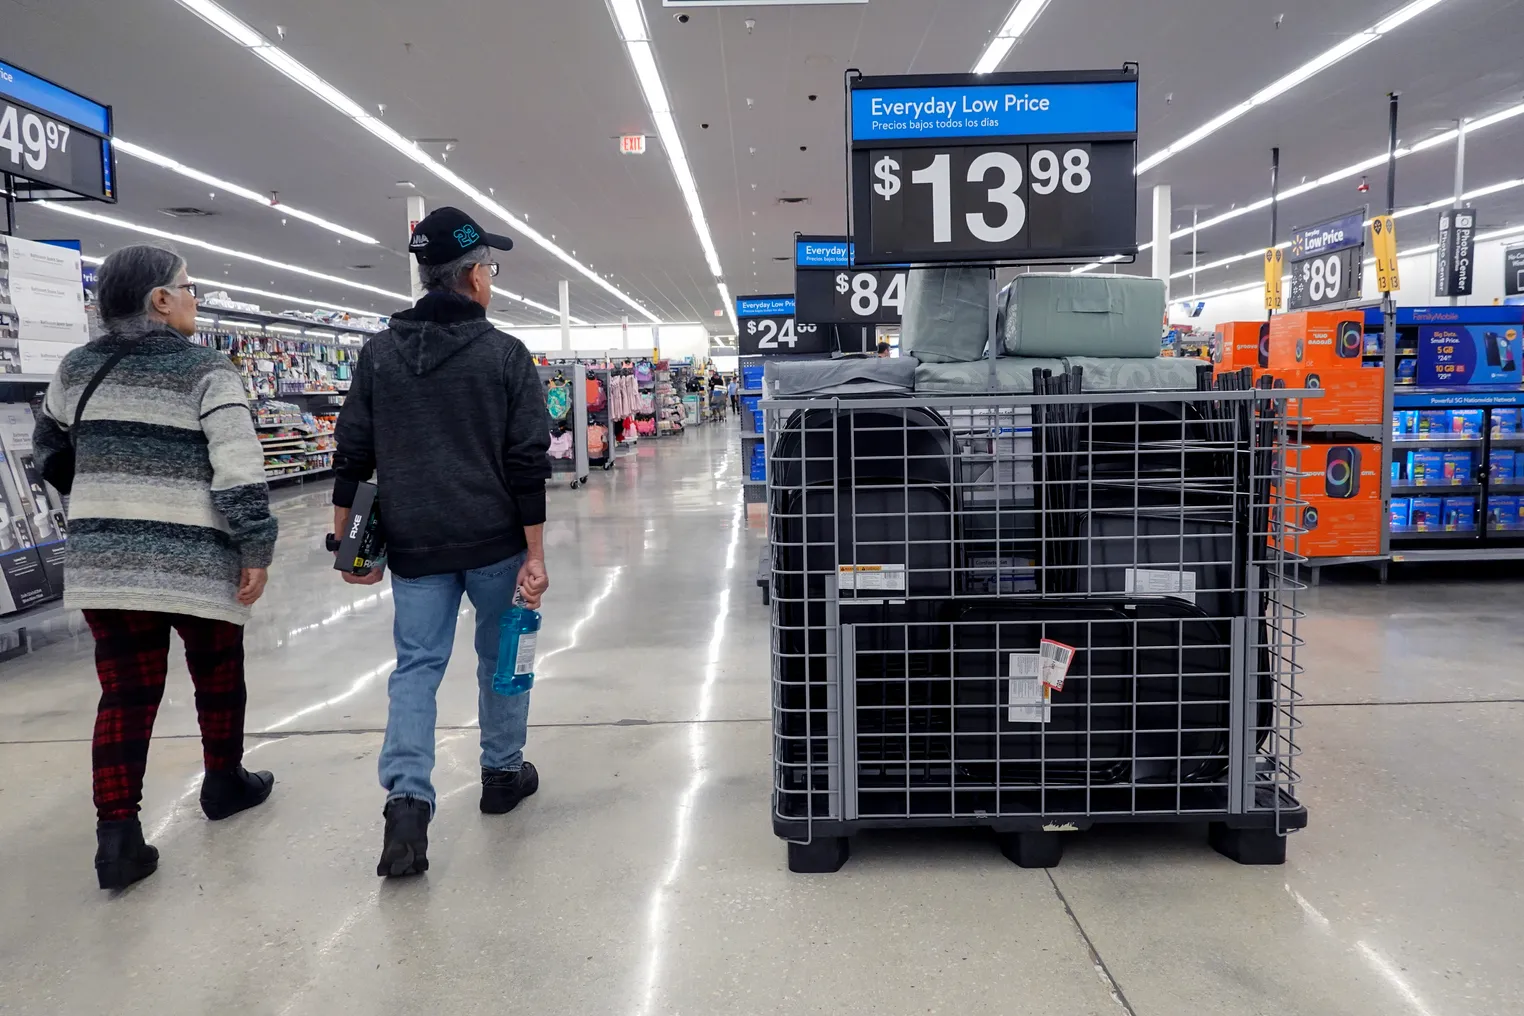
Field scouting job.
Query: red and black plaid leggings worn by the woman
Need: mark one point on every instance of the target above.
(132, 660)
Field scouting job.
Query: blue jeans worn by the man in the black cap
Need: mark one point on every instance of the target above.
(426, 633)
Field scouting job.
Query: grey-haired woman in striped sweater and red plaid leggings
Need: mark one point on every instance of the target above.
(170, 528)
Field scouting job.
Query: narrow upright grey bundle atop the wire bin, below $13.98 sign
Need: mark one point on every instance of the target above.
(947, 315)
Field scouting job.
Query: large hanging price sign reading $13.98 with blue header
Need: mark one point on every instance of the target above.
(994, 168)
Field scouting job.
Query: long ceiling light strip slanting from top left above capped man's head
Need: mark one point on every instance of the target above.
(264, 50)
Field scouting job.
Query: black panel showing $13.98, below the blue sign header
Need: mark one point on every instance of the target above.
(996, 202)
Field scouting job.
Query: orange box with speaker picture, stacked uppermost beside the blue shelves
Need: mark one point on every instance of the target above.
(1325, 350)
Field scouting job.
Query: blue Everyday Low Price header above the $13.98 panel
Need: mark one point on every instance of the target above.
(1014, 110)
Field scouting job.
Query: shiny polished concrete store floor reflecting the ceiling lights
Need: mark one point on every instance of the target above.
(645, 880)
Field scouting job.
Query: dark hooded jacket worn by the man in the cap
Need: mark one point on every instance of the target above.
(450, 418)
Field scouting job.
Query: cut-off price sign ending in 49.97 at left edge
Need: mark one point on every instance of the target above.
(56, 138)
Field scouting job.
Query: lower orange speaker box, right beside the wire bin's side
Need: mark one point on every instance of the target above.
(1342, 488)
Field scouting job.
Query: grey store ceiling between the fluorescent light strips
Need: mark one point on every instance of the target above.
(534, 94)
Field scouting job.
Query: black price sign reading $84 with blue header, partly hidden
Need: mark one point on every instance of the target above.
(830, 290)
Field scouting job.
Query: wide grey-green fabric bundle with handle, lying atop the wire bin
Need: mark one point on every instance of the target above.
(1051, 315)
